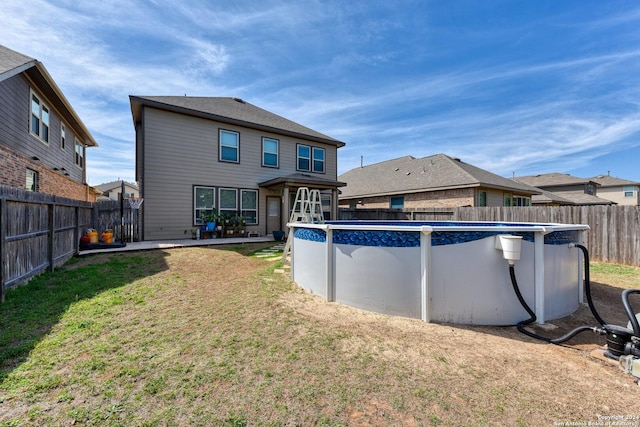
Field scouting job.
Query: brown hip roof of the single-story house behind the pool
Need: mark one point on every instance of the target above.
(433, 173)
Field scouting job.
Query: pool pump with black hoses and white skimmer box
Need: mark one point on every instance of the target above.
(623, 343)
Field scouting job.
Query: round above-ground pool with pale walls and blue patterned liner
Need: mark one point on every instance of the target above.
(440, 271)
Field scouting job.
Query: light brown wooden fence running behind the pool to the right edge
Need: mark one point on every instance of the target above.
(614, 234)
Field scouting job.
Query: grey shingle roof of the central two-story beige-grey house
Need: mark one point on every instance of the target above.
(229, 110)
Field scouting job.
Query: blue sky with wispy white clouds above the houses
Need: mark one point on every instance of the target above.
(514, 87)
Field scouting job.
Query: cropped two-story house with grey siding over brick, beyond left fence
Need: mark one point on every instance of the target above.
(42, 140)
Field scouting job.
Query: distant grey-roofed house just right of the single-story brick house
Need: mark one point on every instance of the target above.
(578, 191)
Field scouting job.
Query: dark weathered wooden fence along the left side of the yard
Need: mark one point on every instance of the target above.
(40, 232)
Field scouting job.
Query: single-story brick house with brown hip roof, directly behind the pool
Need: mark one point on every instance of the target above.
(437, 181)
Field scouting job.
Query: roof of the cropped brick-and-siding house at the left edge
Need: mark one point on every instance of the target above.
(13, 63)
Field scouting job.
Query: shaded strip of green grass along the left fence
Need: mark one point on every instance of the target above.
(32, 310)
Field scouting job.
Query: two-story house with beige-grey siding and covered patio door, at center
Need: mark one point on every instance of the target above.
(194, 154)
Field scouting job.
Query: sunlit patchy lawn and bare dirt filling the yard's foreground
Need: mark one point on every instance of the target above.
(207, 336)
